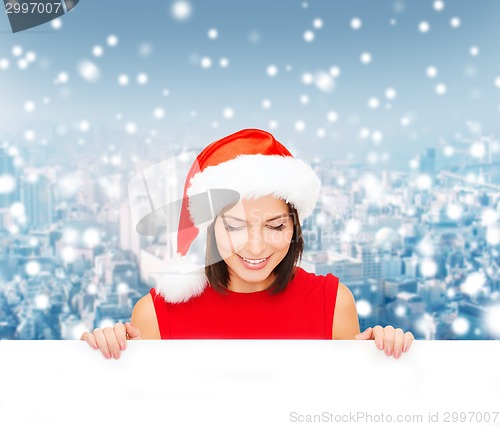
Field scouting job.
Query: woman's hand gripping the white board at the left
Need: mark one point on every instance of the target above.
(112, 340)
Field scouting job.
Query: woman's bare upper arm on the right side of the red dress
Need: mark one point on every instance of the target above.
(345, 317)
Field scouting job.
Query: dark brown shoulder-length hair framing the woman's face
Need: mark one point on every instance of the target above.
(217, 272)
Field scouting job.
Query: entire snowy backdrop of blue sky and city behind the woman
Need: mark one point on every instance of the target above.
(395, 105)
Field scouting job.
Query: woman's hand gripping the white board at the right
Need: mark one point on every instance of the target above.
(394, 341)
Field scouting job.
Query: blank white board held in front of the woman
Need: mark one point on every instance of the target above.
(247, 382)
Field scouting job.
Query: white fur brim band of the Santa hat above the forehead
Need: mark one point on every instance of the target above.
(258, 175)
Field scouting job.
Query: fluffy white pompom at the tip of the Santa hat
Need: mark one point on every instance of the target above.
(180, 280)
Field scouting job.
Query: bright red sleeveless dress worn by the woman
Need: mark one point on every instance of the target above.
(303, 311)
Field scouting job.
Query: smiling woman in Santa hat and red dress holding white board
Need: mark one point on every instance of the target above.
(251, 286)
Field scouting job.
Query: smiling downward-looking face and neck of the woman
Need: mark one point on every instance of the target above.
(252, 238)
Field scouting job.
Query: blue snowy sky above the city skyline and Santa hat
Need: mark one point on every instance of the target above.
(200, 104)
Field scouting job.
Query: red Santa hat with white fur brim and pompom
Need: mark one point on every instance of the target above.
(251, 162)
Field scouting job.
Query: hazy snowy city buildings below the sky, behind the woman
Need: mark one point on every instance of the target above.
(419, 250)
